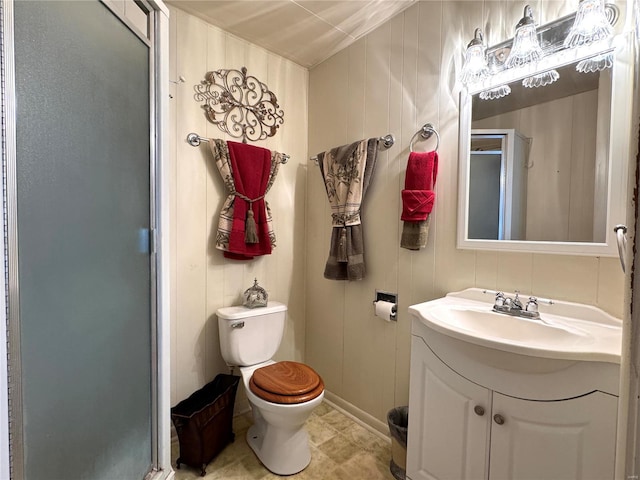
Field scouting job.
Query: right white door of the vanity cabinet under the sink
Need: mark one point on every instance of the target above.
(563, 440)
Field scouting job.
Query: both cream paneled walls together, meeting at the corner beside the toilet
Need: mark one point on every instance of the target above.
(394, 80)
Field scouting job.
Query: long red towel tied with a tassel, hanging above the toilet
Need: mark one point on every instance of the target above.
(250, 167)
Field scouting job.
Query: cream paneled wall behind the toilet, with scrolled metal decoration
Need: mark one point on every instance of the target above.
(202, 280)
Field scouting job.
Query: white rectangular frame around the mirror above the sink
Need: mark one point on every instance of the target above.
(618, 150)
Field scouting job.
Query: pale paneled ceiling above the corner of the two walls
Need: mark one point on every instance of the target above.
(304, 31)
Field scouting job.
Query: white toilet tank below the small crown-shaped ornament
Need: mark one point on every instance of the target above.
(249, 336)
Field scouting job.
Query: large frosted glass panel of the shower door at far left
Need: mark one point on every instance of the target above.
(83, 198)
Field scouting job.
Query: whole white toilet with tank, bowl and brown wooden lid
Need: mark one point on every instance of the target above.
(282, 395)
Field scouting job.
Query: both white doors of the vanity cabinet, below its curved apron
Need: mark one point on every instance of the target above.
(460, 430)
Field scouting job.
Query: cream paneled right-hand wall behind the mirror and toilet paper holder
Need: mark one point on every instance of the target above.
(394, 80)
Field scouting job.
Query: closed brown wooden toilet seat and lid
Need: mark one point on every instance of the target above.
(286, 382)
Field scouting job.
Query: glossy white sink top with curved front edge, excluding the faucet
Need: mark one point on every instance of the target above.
(567, 331)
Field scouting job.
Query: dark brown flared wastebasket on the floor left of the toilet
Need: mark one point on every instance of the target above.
(204, 421)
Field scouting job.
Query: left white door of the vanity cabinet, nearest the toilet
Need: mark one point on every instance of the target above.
(449, 421)
